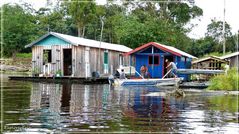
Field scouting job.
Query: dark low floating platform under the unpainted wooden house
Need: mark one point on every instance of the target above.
(63, 79)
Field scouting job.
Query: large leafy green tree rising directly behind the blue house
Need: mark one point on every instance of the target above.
(145, 23)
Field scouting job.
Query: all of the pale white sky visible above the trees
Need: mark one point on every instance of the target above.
(212, 9)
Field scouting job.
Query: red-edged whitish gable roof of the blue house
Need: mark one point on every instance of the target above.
(169, 49)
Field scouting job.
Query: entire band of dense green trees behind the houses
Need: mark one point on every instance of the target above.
(131, 23)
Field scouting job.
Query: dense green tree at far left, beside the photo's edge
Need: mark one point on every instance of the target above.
(19, 29)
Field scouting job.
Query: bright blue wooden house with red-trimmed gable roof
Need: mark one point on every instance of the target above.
(153, 55)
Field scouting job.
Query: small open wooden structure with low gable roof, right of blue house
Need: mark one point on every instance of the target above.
(211, 63)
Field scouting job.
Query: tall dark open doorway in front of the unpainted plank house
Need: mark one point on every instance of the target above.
(67, 62)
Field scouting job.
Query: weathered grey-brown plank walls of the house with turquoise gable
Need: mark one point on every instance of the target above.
(96, 60)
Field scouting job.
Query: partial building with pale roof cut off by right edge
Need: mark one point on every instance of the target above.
(232, 58)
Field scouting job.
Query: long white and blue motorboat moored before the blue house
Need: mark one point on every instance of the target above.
(145, 82)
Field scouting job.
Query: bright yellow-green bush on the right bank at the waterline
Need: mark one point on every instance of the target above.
(225, 82)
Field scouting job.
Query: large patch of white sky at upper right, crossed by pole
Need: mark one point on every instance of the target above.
(214, 9)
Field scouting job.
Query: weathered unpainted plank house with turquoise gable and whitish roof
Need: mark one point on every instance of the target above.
(75, 56)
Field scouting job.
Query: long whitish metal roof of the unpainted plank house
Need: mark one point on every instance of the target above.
(85, 42)
